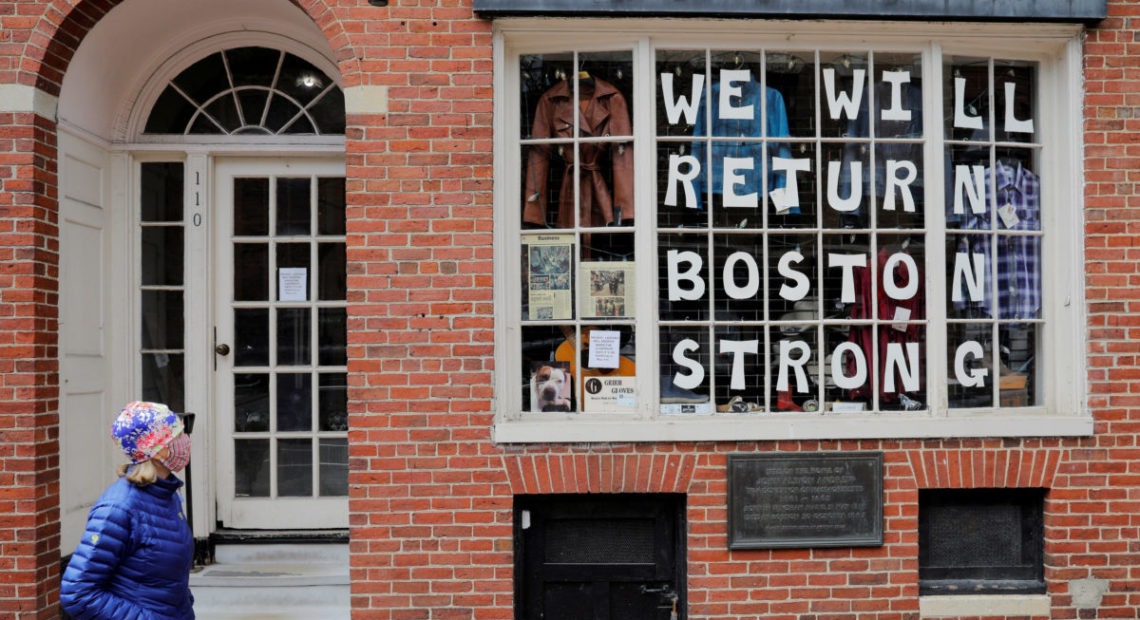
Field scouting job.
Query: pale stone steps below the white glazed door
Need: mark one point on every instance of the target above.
(274, 582)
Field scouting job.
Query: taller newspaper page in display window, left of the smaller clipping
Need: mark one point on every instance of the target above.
(550, 262)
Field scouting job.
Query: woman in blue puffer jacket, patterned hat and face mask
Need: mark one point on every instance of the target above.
(134, 561)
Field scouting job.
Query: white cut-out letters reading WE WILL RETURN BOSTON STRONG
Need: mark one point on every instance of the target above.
(742, 278)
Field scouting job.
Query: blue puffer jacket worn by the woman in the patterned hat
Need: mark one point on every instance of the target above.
(135, 559)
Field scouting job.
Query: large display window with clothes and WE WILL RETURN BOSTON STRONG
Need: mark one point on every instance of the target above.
(785, 233)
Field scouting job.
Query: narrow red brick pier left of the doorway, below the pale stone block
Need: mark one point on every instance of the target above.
(29, 368)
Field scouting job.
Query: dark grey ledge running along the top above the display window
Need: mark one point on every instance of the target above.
(1003, 11)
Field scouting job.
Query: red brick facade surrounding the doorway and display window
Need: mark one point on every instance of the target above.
(431, 494)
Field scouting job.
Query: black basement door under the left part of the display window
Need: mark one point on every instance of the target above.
(600, 558)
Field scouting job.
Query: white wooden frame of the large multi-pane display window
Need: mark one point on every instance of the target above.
(1063, 374)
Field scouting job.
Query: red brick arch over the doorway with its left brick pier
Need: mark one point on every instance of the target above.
(43, 42)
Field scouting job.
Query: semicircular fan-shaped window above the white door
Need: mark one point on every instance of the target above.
(250, 91)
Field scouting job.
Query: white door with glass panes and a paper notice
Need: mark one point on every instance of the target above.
(280, 345)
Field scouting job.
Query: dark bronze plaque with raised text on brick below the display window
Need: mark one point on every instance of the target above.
(816, 500)
